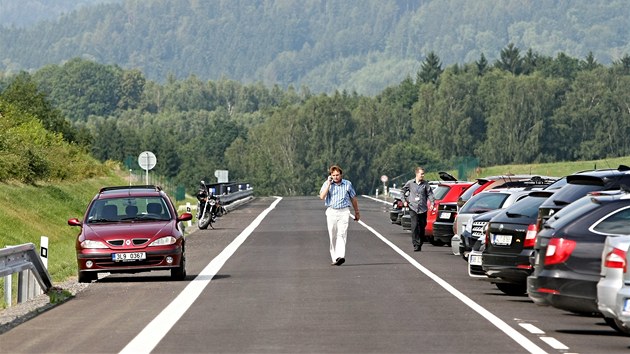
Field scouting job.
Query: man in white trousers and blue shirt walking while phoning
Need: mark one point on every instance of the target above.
(338, 194)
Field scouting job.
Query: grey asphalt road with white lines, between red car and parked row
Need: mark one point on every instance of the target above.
(261, 282)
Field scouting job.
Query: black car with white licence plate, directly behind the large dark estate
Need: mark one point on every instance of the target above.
(510, 243)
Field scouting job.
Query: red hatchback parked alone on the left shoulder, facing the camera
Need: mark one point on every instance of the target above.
(130, 229)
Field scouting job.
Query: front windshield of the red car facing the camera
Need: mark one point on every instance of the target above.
(128, 209)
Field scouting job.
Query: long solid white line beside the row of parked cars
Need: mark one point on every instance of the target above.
(500, 324)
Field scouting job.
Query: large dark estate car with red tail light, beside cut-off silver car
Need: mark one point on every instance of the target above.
(568, 251)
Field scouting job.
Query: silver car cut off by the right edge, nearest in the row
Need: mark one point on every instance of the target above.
(613, 277)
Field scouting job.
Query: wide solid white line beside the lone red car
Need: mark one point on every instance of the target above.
(153, 333)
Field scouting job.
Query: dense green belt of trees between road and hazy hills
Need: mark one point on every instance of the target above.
(522, 108)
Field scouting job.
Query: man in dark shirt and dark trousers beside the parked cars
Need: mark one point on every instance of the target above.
(417, 193)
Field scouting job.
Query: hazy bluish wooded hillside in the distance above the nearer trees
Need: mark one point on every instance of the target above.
(354, 45)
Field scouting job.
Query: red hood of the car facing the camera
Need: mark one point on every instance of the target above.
(148, 229)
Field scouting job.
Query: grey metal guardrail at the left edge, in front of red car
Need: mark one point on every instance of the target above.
(21, 258)
